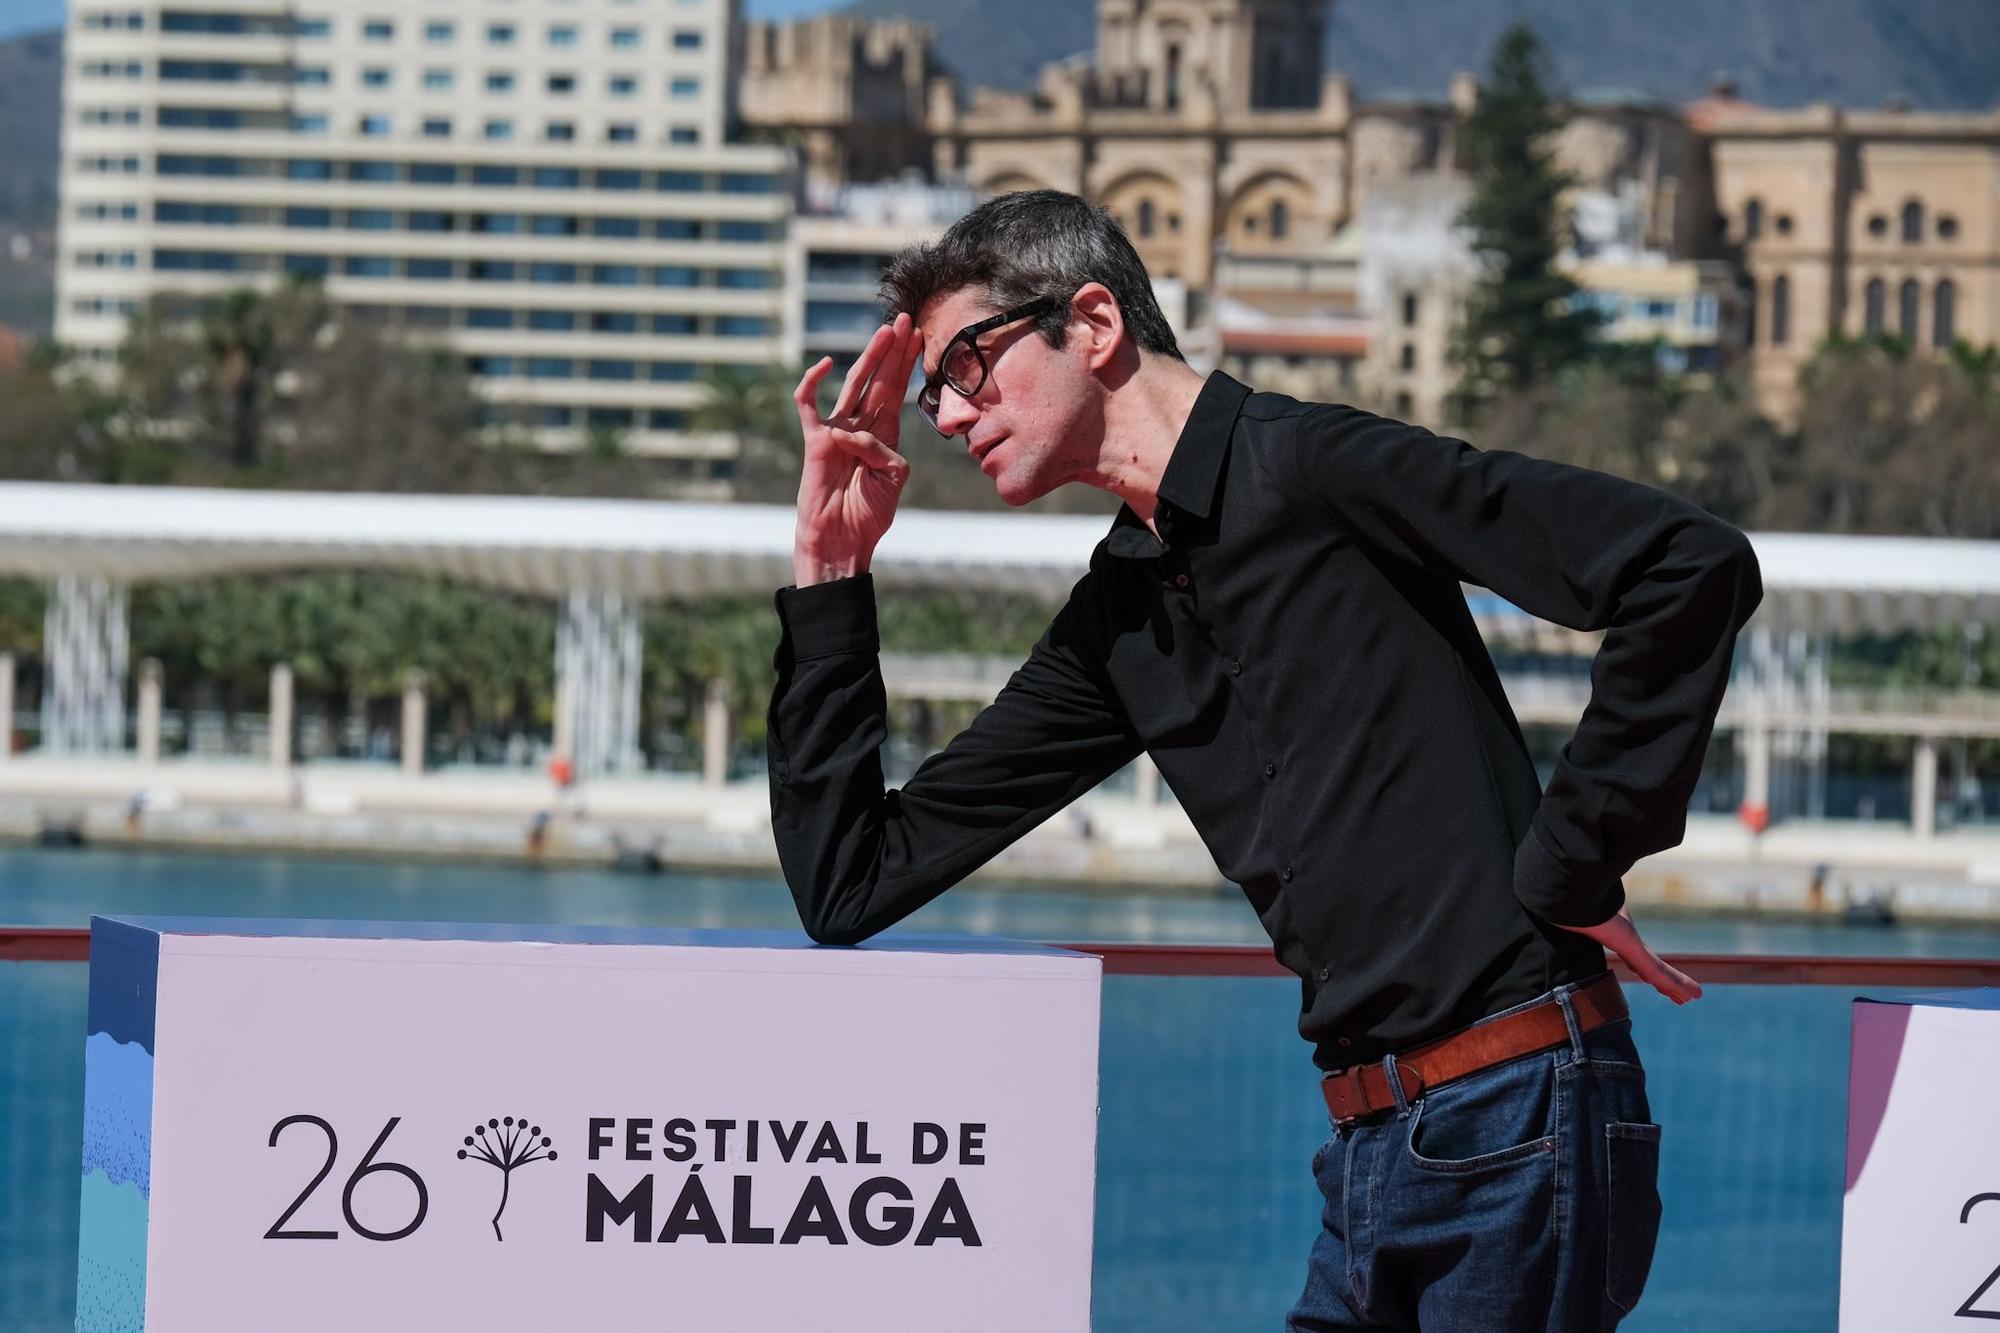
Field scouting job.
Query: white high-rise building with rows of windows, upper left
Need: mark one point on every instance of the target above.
(545, 183)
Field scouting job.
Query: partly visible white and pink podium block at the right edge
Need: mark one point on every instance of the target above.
(1921, 1224)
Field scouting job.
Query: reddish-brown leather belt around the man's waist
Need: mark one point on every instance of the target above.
(1363, 1090)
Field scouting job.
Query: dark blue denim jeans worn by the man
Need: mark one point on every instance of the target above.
(1519, 1198)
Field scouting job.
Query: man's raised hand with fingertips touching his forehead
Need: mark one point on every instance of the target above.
(853, 473)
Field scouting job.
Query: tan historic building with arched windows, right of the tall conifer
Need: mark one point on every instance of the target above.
(1857, 223)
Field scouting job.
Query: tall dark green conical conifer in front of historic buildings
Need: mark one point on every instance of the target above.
(1523, 323)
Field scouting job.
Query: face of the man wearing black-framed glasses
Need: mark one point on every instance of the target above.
(1027, 425)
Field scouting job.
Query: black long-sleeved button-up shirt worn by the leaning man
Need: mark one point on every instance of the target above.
(1297, 655)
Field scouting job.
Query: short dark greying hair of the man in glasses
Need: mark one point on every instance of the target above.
(1023, 247)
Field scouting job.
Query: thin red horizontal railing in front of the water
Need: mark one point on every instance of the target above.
(73, 946)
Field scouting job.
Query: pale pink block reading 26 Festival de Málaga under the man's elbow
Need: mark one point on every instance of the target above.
(403, 1126)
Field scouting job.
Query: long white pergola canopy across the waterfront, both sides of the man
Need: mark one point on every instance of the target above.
(651, 551)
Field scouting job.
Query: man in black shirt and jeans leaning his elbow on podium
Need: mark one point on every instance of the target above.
(1277, 617)
